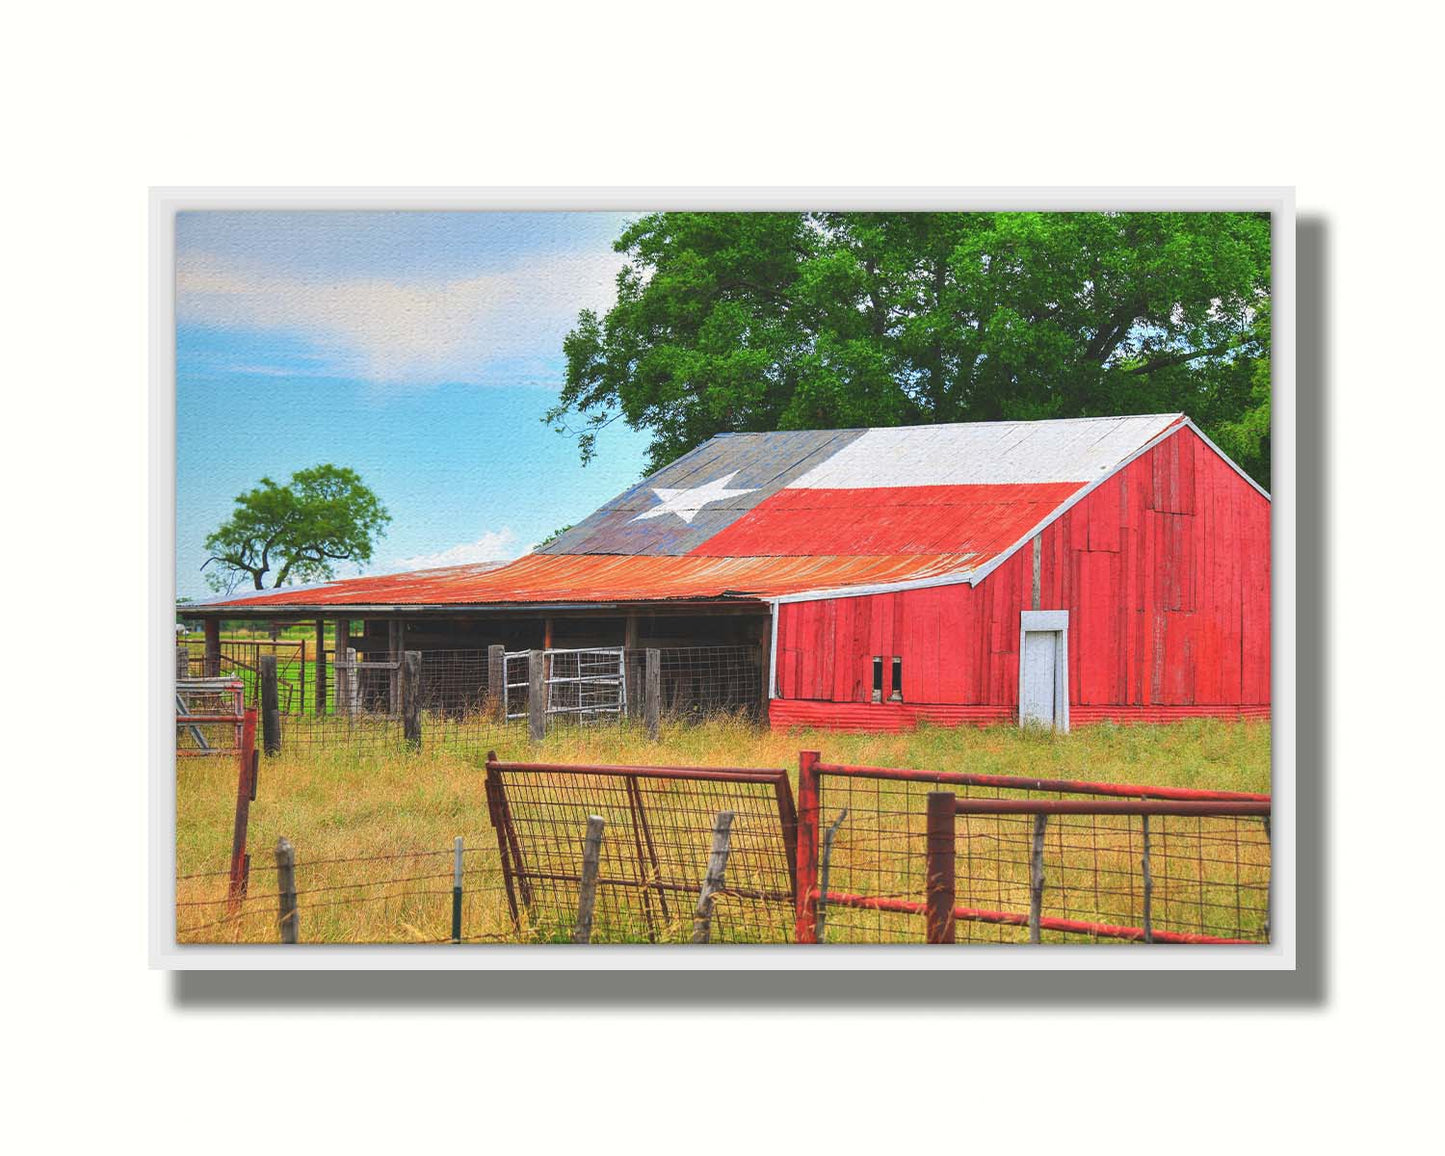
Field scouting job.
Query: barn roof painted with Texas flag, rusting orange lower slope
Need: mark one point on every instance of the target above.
(795, 514)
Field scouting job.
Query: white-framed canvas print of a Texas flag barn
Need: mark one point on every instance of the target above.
(745, 579)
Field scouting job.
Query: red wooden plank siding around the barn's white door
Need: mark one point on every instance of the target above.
(1165, 574)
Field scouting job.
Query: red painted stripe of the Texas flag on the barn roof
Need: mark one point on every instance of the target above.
(978, 521)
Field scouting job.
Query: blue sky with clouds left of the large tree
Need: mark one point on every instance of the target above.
(420, 349)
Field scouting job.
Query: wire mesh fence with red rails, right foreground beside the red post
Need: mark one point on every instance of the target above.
(1210, 875)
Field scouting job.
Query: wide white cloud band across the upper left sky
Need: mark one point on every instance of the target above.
(402, 332)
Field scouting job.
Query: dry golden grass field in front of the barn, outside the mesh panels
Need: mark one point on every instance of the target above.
(374, 826)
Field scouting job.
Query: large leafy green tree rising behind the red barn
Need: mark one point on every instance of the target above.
(746, 322)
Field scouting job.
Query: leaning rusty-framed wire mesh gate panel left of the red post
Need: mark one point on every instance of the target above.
(658, 834)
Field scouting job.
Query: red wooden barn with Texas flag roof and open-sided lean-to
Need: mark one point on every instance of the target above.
(1053, 573)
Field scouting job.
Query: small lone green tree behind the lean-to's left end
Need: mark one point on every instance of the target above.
(297, 532)
